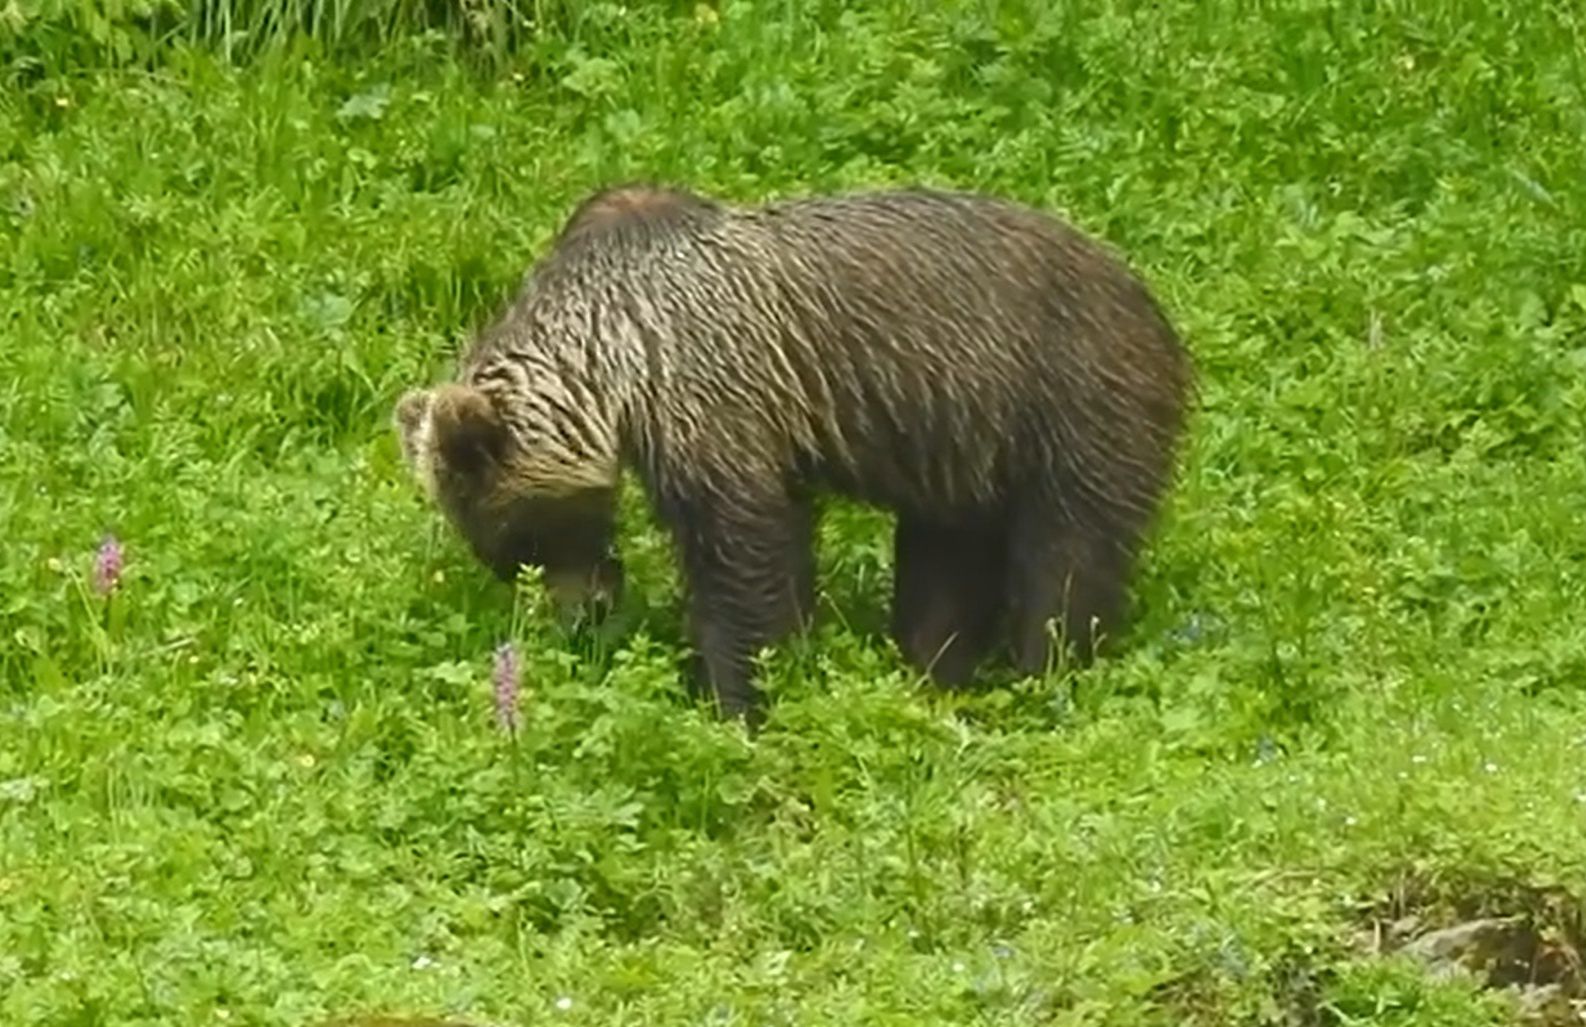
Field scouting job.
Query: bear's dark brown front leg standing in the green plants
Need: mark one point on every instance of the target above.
(749, 575)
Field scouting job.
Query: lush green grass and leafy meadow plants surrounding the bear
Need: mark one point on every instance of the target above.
(262, 785)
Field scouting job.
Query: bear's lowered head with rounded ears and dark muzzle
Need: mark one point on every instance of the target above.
(515, 506)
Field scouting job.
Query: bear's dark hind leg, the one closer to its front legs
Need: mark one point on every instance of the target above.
(949, 587)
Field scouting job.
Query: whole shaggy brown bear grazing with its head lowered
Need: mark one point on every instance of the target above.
(997, 380)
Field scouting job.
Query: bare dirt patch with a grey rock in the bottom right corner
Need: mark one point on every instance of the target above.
(1511, 936)
